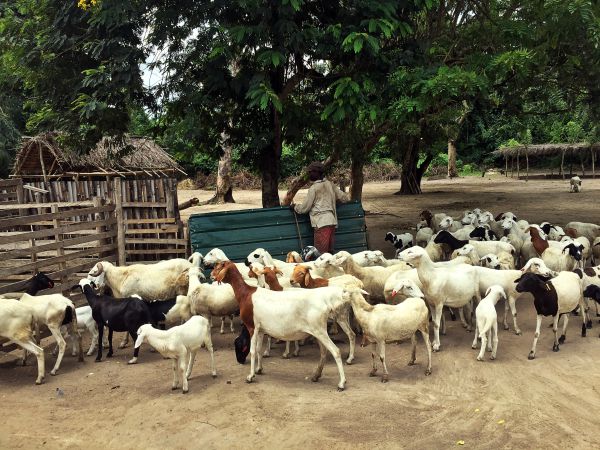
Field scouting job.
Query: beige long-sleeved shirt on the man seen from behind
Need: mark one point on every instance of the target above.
(320, 203)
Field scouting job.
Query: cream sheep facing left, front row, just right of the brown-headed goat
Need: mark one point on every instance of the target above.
(388, 323)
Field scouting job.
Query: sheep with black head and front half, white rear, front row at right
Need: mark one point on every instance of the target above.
(553, 297)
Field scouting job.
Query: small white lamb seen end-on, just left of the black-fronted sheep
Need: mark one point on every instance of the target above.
(487, 321)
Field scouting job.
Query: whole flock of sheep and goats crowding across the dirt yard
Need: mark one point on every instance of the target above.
(466, 264)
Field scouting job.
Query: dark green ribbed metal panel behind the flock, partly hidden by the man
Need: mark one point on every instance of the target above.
(278, 230)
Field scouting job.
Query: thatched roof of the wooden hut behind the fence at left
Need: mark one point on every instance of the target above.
(42, 155)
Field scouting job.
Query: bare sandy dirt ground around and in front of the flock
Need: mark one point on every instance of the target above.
(552, 401)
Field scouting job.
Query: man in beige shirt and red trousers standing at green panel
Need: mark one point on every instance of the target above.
(320, 204)
